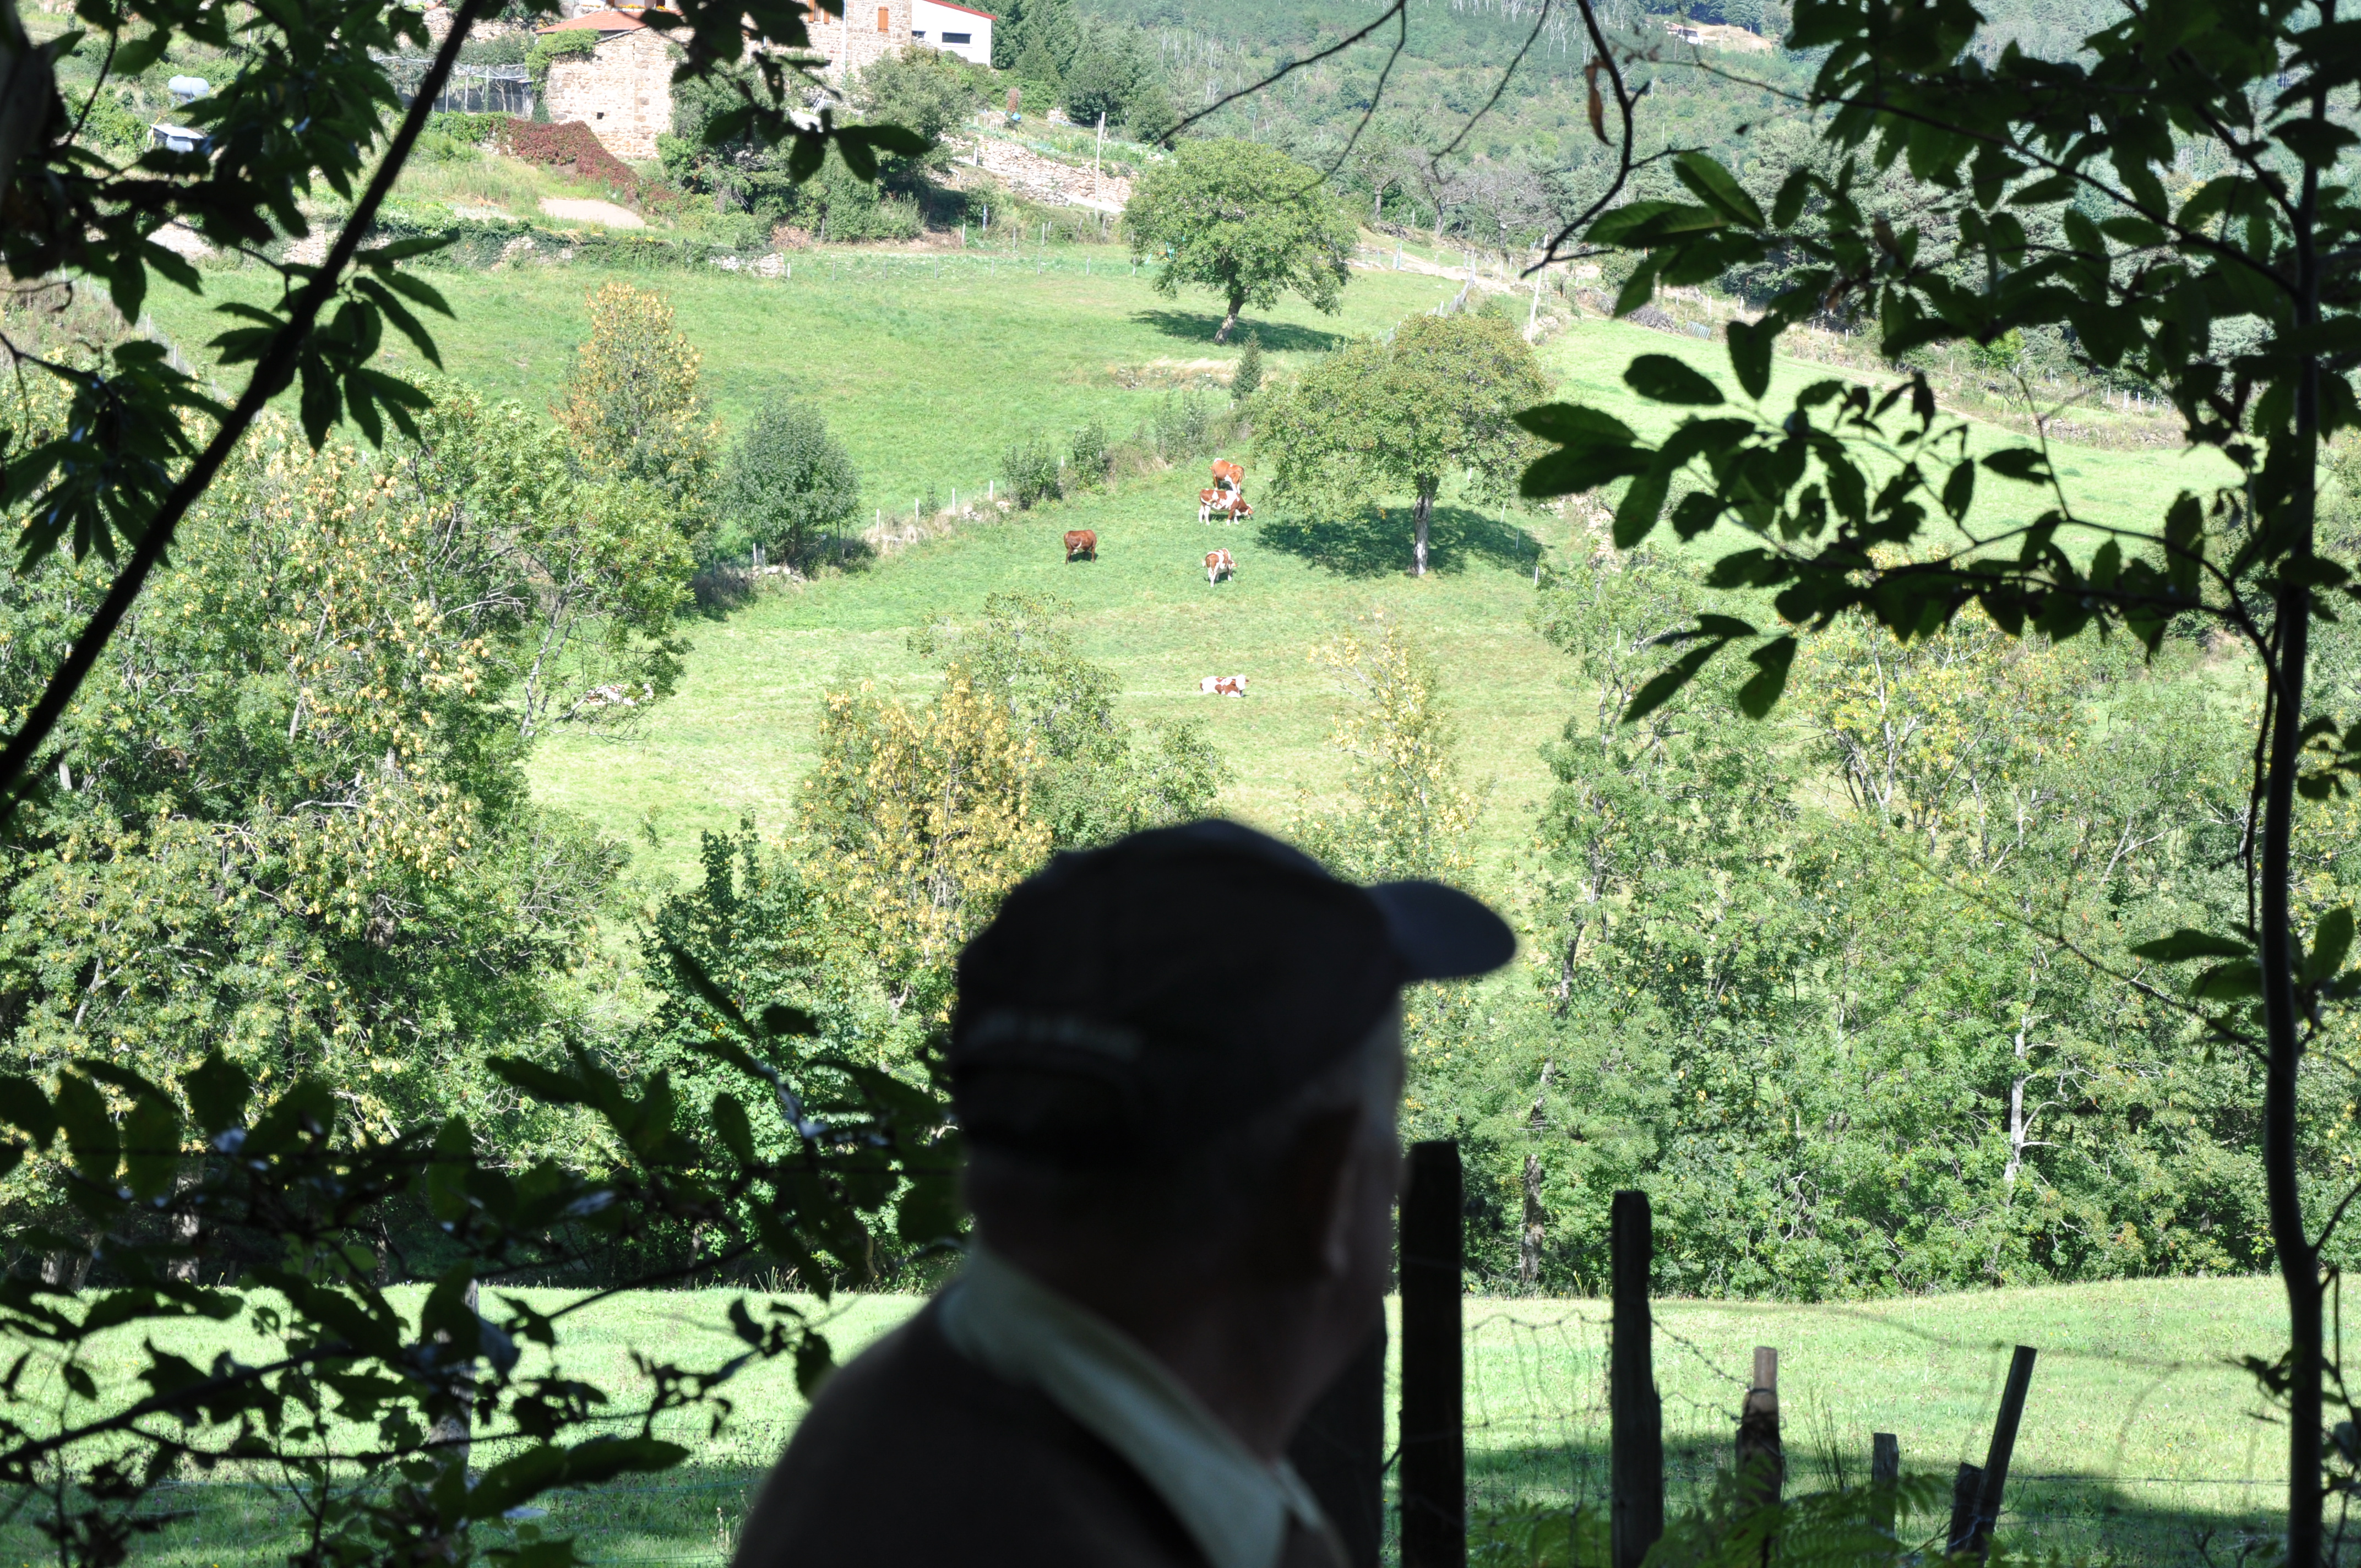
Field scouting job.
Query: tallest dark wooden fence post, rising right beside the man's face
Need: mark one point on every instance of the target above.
(1432, 1439)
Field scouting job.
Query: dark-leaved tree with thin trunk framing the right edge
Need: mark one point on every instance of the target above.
(2173, 178)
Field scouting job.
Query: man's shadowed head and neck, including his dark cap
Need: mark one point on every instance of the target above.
(1179, 1059)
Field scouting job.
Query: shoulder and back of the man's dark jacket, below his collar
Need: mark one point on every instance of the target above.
(917, 1456)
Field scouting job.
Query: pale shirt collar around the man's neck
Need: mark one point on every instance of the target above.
(1236, 1508)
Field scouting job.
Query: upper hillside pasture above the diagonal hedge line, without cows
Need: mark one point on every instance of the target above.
(929, 367)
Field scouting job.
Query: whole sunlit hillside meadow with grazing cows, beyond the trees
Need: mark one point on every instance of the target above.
(929, 367)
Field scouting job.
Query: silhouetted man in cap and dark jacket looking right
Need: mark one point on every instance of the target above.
(1177, 1064)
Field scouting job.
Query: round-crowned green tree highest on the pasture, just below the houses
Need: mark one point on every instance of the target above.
(1245, 221)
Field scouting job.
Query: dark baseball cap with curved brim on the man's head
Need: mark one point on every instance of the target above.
(1137, 1000)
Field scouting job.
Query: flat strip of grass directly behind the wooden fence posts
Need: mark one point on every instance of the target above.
(2140, 1439)
